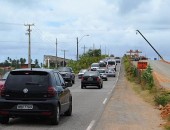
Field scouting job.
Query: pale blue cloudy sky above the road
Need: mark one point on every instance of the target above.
(110, 24)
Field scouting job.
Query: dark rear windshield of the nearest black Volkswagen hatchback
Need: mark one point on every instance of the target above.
(24, 79)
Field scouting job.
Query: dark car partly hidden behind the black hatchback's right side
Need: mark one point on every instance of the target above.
(68, 74)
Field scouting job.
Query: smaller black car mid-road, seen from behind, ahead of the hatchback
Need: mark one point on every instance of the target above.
(91, 78)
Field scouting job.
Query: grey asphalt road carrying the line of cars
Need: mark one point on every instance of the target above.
(88, 105)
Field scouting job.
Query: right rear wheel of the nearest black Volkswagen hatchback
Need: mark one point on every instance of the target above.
(56, 117)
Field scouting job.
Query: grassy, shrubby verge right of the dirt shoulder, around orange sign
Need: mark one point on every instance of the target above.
(148, 88)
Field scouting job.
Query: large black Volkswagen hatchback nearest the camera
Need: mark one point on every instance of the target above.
(35, 93)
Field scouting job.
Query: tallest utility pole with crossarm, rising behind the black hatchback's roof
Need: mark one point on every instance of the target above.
(29, 43)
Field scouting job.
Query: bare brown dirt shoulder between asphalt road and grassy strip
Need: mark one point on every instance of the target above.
(127, 111)
